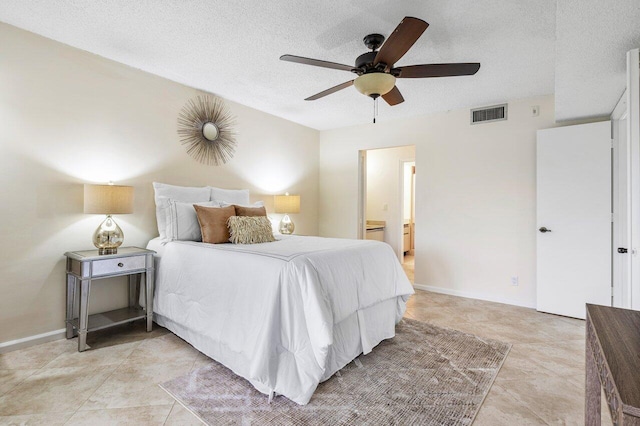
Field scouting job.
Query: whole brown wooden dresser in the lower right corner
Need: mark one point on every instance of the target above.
(613, 363)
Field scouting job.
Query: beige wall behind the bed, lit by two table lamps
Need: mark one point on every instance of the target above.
(68, 117)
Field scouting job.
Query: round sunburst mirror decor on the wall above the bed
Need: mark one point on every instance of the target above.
(205, 126)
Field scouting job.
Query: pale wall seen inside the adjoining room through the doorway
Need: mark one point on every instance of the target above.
(384, 173)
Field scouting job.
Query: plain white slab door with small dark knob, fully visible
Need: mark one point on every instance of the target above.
(574, 218)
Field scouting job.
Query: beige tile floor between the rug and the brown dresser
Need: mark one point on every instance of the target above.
(542, 380)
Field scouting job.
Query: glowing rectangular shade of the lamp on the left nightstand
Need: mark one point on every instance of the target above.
(108, 199)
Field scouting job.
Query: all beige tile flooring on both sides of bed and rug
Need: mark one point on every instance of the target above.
(541, 382)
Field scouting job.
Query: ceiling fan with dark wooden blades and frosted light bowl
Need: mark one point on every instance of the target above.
(375, 69)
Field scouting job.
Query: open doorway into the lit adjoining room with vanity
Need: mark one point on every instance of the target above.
(386, 200)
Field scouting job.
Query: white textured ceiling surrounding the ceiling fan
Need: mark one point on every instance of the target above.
(231, 48)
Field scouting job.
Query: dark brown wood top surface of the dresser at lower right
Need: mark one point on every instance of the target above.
(618, 331)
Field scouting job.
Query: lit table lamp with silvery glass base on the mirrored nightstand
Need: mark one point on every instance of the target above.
(108, 199)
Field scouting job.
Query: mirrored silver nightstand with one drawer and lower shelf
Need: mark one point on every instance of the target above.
(85, 267)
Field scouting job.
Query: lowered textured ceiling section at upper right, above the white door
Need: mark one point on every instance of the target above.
(592, 40)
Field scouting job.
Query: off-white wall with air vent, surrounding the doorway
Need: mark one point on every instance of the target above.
(475, 195)
